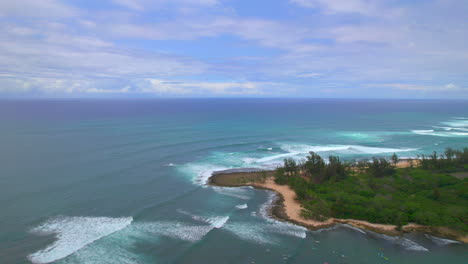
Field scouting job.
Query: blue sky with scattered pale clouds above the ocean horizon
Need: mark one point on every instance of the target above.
(234, 48)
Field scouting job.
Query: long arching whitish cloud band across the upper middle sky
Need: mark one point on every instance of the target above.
(264, 32)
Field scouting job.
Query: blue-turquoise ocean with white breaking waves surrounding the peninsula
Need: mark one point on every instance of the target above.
(124, 181)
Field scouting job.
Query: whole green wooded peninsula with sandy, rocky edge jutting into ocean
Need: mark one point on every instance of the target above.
(428, 194)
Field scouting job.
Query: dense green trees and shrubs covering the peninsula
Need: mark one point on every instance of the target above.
(378, 192)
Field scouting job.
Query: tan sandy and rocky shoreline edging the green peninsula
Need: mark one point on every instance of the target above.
(286, 208)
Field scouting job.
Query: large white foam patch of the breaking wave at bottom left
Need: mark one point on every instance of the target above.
(74, 233)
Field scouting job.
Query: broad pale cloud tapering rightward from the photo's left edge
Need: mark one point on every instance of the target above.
(57, 53)
